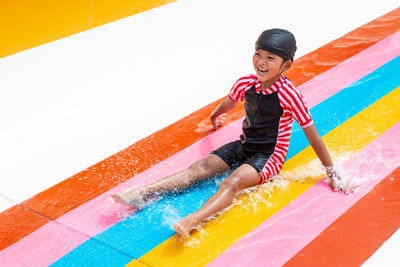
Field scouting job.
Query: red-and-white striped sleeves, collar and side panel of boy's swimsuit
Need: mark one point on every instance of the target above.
(293, 106)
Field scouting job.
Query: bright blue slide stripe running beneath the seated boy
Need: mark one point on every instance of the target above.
(143, 231)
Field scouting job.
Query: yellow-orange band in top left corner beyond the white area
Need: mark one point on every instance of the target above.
(28, 23)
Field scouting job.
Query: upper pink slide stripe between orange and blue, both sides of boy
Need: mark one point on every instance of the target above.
(100, 213)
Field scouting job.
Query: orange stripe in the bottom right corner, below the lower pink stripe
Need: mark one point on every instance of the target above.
(359, 232)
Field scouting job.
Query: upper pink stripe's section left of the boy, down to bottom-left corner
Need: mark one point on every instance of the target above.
(100, 213)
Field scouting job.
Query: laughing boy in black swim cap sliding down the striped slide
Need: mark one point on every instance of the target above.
(271, 104)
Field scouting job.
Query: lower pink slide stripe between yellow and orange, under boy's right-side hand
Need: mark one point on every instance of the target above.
(279, 238)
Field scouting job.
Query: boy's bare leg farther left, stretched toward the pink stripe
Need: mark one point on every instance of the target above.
(200, 170)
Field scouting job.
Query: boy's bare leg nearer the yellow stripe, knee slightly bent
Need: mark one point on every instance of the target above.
(244, 177)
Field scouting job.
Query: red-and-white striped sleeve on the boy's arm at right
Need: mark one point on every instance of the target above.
(297, 105)
